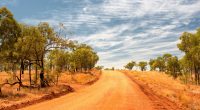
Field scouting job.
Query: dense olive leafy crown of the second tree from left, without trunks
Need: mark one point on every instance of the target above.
(28, 43)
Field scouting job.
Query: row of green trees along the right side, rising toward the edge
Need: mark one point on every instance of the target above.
(186, 68)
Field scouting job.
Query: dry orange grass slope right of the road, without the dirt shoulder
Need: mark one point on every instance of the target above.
(162, 84)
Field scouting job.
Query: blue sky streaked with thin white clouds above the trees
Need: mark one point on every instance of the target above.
(119, 30)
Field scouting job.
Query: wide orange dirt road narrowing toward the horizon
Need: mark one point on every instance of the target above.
(113, 91)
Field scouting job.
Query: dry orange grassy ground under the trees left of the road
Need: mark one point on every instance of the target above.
(11, 95)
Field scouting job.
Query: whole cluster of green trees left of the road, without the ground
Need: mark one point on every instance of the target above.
(23, 45)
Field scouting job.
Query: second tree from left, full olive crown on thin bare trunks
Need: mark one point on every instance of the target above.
(24, 47)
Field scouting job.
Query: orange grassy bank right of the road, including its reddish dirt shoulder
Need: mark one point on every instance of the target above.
(163, 90)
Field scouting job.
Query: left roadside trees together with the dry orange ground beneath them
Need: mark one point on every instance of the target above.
(36, 58)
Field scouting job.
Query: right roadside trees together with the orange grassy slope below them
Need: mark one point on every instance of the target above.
(176, 79)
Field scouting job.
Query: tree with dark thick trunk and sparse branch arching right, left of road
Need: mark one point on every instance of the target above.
(49, 40)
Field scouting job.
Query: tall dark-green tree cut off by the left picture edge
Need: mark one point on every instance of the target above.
(9, 33)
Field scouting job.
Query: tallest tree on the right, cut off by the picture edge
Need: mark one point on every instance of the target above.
(190, 44)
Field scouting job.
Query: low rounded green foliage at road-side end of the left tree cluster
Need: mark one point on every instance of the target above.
(82, 58)
